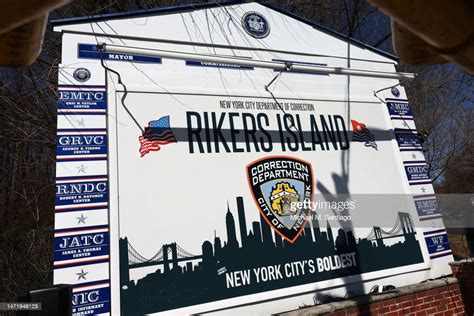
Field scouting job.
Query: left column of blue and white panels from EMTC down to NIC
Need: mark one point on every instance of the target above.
(81, 238)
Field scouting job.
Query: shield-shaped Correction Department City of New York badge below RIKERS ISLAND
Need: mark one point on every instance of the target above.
(279, 184)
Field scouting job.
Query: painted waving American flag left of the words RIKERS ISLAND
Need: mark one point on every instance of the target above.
(157, 133)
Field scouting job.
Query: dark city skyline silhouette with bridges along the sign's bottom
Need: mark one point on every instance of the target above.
(184, 279)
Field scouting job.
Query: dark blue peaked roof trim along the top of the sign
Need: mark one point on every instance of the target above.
(200, 6)
